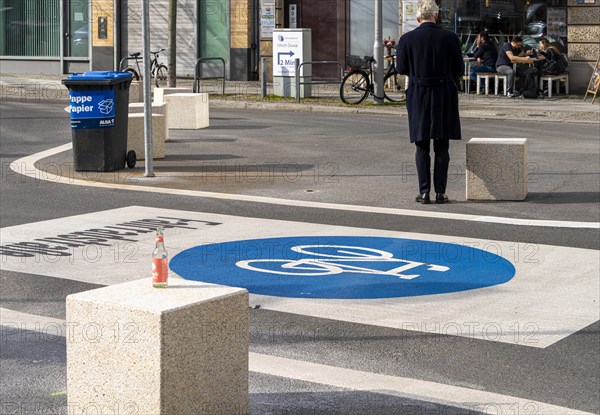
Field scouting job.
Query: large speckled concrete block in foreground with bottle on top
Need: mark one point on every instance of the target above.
(145, 350)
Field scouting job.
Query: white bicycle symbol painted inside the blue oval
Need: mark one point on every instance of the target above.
(338, 260)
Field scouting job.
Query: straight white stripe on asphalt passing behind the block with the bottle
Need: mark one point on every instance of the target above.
(439, 393)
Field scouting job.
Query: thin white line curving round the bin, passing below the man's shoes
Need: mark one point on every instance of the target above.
(26, 166)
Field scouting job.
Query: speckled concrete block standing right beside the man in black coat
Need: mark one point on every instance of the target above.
(497, 169)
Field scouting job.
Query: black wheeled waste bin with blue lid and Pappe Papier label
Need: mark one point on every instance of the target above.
(99, 116)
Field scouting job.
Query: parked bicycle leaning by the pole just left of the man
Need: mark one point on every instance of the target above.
(359, 81)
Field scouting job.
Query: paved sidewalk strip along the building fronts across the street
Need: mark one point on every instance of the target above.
(247, 95)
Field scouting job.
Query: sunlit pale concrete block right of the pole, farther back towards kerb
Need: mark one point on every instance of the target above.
(188, 111)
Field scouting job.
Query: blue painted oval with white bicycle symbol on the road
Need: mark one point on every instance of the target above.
(343, 267)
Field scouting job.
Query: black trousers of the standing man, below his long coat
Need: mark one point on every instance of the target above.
(440, 168)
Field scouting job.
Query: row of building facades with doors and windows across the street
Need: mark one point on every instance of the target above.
(63, 36)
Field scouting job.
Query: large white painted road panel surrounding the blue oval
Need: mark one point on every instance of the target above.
(554, 292)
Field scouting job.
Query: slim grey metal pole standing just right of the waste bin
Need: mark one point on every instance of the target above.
(147, 88)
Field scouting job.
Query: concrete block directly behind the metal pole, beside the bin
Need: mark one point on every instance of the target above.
(135, 136)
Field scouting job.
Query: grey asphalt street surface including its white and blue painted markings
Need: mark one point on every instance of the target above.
(524, 343)
